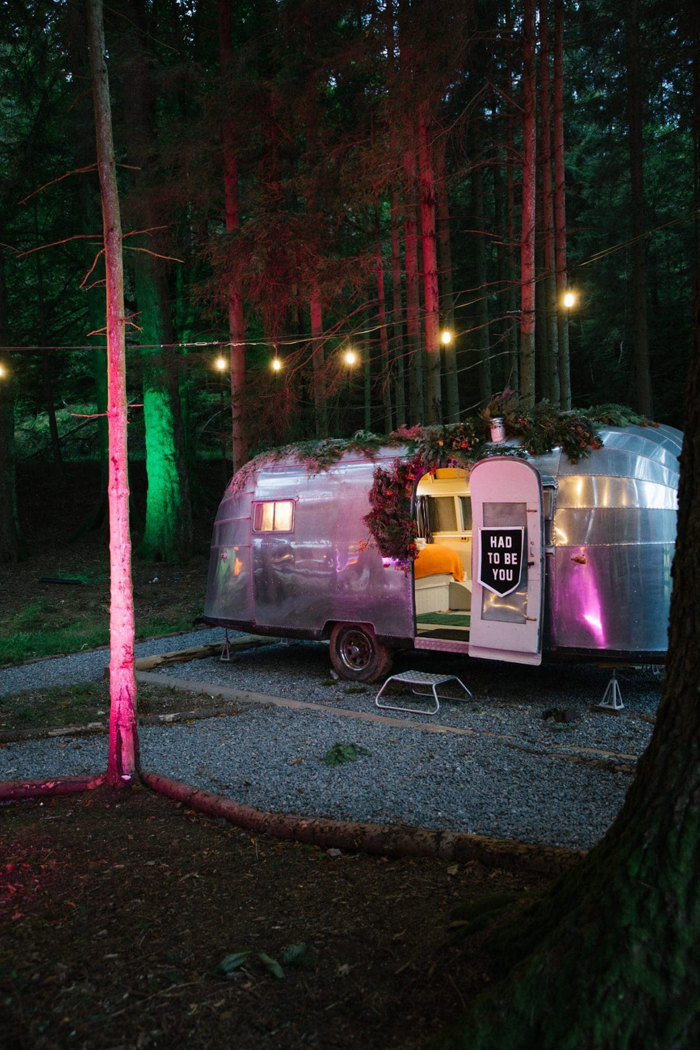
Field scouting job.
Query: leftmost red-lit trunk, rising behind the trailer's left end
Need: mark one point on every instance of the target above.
(232, 218)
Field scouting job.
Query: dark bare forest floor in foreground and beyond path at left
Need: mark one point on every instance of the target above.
(131, 921)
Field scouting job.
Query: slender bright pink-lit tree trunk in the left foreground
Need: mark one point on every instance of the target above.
(123, 759)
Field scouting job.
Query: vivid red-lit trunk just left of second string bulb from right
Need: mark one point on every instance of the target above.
(431, 292)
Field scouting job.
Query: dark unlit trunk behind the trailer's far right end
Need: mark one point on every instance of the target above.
(635, 119)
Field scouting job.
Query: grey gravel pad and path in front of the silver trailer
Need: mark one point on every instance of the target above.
(531, 758)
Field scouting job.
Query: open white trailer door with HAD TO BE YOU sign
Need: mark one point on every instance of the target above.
(507, 561)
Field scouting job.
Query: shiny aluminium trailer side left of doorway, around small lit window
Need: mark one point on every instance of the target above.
(324, 571)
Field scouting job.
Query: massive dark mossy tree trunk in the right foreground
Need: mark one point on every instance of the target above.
(617, 939)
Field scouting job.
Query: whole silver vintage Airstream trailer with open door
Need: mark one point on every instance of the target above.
(520, 558)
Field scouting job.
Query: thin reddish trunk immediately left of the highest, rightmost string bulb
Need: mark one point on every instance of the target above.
(561, 211)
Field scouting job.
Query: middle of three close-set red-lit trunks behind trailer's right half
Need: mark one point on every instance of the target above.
(549, 297)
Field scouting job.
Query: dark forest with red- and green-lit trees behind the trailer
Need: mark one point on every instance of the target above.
(301, 180)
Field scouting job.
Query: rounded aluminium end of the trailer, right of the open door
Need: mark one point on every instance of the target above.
(613, 540)
